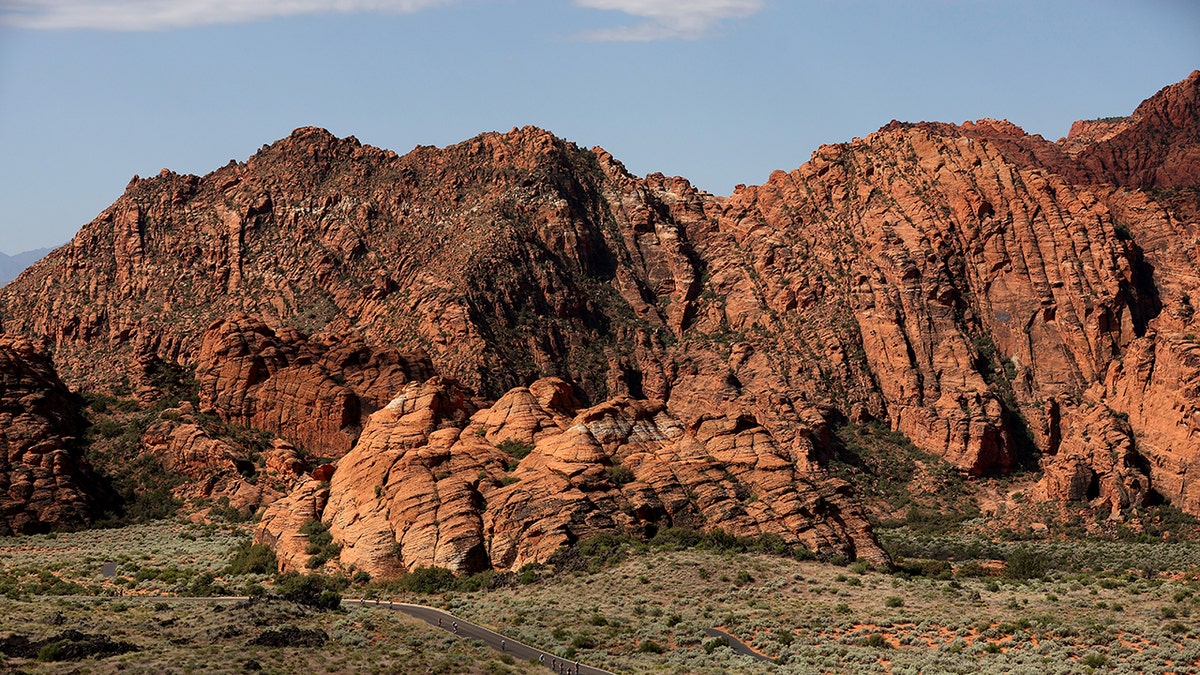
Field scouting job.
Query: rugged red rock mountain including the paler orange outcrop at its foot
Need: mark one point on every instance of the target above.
(1001, 300)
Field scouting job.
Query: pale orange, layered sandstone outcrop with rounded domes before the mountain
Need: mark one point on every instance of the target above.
(429, 483)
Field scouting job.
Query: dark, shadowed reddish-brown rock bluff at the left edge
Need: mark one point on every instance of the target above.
(44, 481)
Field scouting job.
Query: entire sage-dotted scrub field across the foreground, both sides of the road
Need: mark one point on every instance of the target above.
(1079, 607)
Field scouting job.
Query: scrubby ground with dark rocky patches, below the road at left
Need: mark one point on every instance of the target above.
(176, 636)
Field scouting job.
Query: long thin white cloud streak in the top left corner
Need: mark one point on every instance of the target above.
(164, 15)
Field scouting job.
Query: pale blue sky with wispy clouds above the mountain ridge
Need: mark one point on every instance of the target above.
(721, 92)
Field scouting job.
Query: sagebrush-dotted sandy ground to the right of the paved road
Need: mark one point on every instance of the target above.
(817, 618)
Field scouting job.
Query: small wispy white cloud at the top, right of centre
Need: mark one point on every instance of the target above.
(669, 20)
